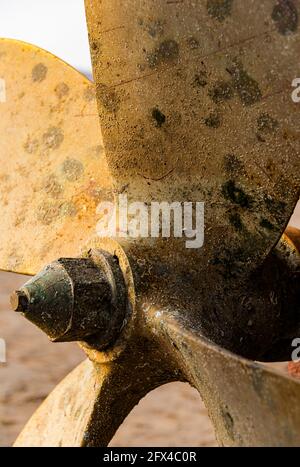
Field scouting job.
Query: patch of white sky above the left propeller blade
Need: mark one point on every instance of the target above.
(55, 25)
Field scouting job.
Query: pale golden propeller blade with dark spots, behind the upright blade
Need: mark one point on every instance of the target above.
(53, 172)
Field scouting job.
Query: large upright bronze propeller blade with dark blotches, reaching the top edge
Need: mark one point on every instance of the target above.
(195, 105)
